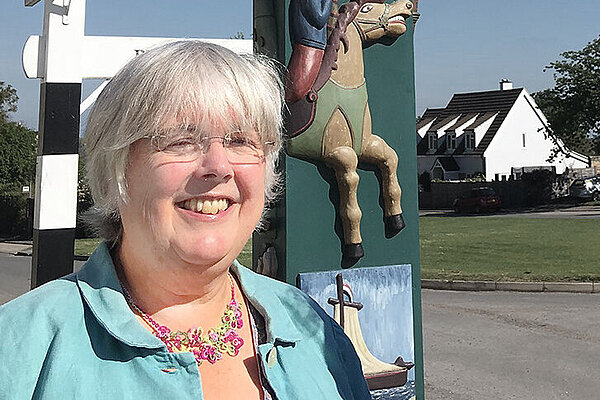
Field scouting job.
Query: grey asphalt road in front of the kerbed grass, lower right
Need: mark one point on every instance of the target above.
(506, 345)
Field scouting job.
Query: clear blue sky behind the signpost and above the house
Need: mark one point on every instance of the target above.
(460, 46)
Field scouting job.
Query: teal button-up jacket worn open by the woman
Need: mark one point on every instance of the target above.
(76, 338)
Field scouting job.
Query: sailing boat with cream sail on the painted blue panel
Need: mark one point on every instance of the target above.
(379, 374)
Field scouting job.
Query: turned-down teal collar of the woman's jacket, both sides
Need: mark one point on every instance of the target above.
(102, 292)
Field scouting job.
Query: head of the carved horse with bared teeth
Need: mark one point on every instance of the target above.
(381, 22)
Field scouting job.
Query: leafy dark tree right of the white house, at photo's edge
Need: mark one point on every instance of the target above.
(573, 105)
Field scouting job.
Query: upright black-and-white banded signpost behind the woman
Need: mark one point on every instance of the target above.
(59, 67)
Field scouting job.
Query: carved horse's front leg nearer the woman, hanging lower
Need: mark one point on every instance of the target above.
(343, 160)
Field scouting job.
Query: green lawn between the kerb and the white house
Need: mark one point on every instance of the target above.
(510, 249)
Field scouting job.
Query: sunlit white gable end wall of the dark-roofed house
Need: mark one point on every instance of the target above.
(506, 149)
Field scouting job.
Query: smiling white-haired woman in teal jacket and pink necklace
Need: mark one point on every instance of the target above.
(181, 148)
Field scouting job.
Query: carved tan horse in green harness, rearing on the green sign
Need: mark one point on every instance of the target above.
(331, 123)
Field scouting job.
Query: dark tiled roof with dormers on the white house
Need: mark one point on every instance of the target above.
(485, 105)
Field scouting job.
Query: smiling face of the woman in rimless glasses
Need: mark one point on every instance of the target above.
(200, 212)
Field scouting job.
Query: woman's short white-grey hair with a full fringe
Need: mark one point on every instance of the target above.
(189, 83)
